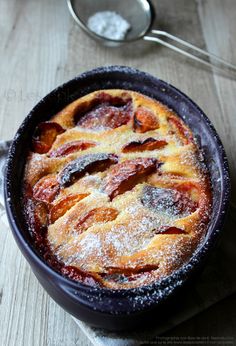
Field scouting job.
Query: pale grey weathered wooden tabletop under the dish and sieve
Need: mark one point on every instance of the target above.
(41, 47)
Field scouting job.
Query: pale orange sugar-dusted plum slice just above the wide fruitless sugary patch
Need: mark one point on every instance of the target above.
(101, 214)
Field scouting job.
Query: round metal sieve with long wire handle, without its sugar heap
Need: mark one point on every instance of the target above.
(140, 15)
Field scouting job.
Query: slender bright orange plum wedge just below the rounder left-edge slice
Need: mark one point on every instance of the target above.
(63, 205)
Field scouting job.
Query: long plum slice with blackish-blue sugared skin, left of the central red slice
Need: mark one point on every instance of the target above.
(85, 164)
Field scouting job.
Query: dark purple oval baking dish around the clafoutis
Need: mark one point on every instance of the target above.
(116, 309)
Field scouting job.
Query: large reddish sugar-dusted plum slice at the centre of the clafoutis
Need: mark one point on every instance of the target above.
(125, 175)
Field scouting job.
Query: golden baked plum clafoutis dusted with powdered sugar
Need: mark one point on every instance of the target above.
(116, 193)
